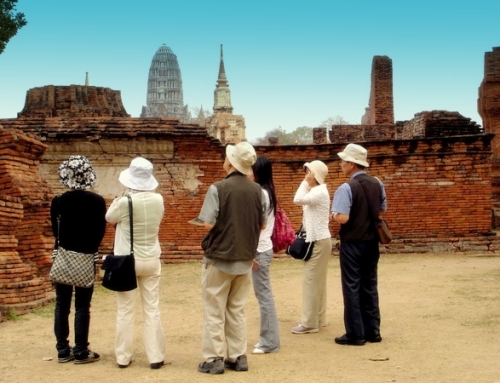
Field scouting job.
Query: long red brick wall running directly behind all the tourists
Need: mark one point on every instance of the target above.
(425, 172)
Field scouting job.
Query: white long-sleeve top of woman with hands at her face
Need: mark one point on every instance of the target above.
(315, 203)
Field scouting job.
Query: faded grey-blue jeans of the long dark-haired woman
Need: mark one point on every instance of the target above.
(269, 331)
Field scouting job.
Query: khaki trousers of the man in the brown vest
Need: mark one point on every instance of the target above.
(224, 324)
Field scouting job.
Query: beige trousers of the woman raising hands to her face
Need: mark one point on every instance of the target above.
(314, 285)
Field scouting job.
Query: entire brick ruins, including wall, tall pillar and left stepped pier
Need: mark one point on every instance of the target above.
(440, 170)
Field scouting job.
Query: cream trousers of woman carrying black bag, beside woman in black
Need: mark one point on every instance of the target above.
(148, 280)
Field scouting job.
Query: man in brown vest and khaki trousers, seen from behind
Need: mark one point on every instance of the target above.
(234, 213)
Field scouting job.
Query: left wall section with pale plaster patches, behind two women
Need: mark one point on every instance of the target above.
(186, 162)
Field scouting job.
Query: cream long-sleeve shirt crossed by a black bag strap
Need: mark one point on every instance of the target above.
(148, 213)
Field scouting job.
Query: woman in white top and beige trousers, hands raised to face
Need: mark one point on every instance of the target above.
(313, 196)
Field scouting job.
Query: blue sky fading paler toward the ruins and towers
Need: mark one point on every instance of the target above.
(288, 64)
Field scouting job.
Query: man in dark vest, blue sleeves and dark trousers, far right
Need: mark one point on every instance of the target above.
(356, 205)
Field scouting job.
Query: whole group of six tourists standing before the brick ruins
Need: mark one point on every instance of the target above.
(238, 214)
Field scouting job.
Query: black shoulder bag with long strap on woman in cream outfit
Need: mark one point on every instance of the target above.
(119, 272)
